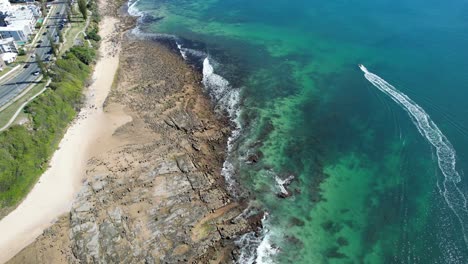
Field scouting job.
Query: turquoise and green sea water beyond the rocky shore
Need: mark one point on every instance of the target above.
(369, 185)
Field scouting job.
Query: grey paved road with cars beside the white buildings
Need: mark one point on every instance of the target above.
(12, 87)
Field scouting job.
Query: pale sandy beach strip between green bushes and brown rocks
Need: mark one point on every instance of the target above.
(90, 134)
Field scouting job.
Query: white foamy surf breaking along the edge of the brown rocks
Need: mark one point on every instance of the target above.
(255, 247)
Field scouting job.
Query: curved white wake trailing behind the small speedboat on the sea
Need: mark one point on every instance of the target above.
(446, 157)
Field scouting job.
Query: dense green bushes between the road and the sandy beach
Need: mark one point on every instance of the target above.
(25, 151)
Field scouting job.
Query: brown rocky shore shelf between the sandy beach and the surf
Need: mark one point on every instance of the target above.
(157, 196)
